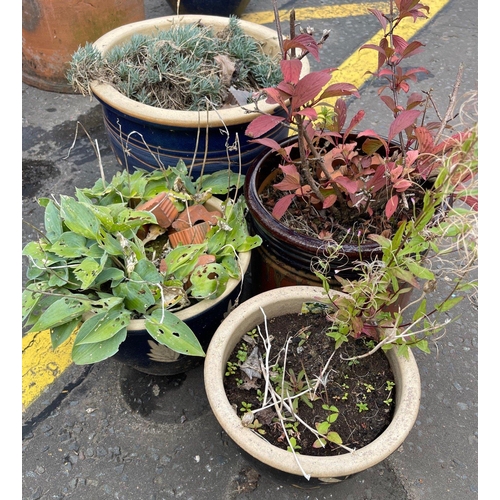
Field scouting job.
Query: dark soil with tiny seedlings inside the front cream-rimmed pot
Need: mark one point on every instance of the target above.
(362, 391)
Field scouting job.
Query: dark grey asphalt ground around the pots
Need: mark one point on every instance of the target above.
(107, 432)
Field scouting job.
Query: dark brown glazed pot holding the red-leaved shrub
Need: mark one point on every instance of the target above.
(285, 256)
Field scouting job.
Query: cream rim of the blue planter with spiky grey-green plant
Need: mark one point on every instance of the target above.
(227, 116)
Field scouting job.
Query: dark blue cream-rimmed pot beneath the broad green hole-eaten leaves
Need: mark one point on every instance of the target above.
(141, 352)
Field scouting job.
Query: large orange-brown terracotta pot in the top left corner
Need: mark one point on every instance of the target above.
(54, 29)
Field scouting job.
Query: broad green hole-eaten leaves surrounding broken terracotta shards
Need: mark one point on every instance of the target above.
(91, 272)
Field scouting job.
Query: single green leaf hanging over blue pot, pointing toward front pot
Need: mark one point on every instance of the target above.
(167, 329)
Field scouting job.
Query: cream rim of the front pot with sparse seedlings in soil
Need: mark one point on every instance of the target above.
(278, 302)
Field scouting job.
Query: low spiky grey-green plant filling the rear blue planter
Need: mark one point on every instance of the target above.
(180, 68)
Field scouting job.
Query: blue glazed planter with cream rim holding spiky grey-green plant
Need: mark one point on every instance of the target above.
(153, 137)
